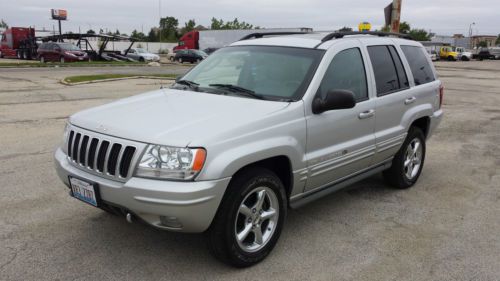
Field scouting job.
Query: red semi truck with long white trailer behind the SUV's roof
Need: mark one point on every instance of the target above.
(215, 39)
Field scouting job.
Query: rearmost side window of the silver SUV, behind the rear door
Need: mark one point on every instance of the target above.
(419, 65)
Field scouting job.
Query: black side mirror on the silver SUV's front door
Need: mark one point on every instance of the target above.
(335, 99)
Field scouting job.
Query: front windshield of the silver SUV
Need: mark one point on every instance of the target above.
(271, 72)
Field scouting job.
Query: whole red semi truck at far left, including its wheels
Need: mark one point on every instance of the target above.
(18, 42)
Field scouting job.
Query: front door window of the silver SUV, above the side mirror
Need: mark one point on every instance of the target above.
(346, 72)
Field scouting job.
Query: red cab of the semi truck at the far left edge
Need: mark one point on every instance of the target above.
(12, 39)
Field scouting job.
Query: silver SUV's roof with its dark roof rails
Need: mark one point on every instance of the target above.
(308, 40)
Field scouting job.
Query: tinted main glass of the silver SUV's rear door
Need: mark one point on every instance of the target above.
(386, 76)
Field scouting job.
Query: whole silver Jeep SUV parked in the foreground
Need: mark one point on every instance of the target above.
(266, 124)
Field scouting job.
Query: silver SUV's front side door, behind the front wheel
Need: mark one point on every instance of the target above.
(341, 143)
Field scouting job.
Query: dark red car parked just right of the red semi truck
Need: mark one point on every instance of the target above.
(61, 52)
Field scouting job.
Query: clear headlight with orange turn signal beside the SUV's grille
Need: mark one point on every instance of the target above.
(168, 162)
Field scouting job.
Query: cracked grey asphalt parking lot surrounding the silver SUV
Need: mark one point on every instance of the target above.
(445, 228)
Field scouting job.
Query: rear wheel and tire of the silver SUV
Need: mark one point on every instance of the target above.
(403, 176)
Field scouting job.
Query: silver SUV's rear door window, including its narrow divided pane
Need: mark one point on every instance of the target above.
(389, 72)
